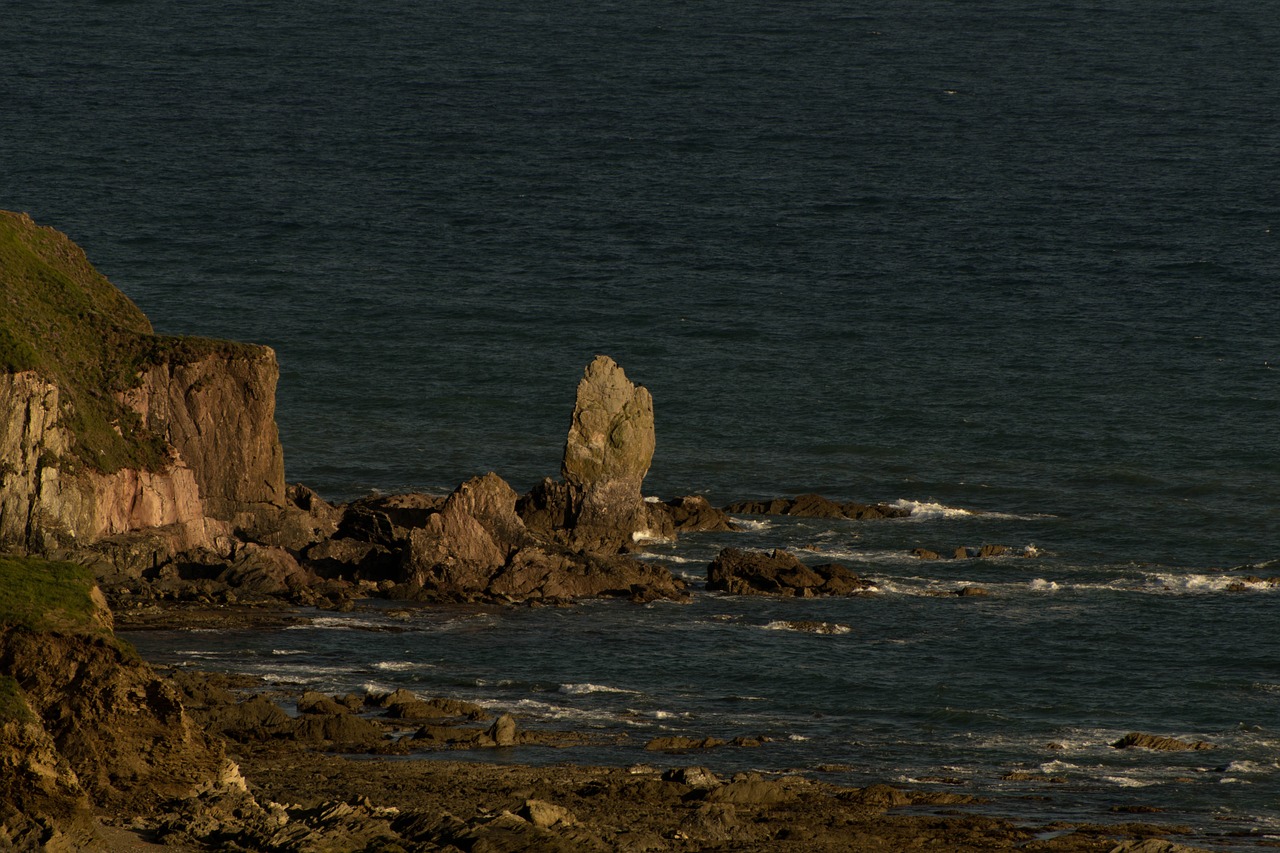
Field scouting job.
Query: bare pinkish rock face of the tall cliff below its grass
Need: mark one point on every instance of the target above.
(226, 466)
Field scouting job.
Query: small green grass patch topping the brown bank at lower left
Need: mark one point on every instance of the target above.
(47, 596)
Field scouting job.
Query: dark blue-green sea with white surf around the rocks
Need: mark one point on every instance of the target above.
(1014, 266)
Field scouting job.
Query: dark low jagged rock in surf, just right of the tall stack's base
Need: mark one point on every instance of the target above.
(756, 573)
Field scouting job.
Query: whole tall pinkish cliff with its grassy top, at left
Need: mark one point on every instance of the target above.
(109, 428)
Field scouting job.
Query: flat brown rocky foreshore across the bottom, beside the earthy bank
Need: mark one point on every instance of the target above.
(330, 778)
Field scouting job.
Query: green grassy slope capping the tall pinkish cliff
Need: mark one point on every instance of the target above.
(62, 318)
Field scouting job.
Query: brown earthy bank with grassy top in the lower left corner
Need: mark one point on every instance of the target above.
(84, 723)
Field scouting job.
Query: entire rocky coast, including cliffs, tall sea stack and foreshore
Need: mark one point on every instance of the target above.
(144, 492)
